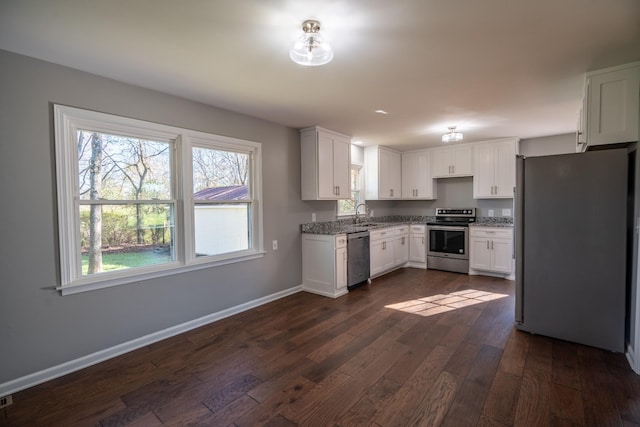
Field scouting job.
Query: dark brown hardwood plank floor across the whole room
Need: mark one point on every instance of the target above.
(415, 347)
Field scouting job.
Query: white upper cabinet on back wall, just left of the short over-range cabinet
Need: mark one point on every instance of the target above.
(417, 182)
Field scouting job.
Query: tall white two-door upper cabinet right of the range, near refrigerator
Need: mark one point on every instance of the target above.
(494, 166)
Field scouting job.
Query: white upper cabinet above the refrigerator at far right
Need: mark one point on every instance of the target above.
(612, 105)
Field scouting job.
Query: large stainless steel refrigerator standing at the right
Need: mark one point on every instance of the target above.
(571, 221)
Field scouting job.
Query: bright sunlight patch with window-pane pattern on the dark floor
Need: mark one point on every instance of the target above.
(435, 304)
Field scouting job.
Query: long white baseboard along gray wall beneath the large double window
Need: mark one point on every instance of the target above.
(65, 368)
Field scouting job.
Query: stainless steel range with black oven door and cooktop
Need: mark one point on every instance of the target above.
(448, 239)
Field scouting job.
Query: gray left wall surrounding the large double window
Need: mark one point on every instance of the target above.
(40, 328)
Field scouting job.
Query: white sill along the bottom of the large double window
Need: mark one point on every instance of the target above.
(83, 285)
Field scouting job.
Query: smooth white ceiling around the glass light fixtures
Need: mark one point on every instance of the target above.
(494, 68)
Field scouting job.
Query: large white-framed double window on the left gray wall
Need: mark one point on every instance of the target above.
(138, 200)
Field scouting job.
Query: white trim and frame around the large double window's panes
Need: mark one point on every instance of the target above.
(68, 120)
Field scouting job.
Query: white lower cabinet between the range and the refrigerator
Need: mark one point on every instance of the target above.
(491, 251)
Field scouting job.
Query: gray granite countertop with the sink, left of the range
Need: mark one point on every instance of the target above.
(347, 225)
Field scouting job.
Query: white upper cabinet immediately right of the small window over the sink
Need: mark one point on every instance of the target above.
(382, 173)
